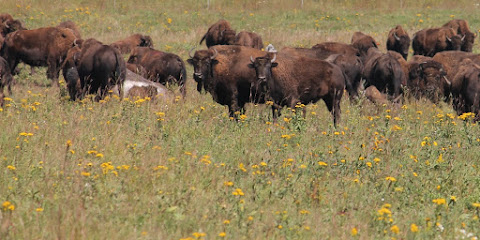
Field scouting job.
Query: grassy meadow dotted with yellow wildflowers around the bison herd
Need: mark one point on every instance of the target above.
(141, 169)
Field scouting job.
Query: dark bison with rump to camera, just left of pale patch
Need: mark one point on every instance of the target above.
(98, 68)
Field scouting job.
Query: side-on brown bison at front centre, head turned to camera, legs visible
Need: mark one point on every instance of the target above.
(288, 80)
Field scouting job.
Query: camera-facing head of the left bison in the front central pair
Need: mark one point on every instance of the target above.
(202, 63)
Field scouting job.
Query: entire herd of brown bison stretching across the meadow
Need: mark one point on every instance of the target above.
(235, 69)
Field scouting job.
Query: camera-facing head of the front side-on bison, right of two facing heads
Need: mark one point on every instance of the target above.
(263, 70)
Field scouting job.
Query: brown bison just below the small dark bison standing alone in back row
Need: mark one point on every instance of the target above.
(385, 73)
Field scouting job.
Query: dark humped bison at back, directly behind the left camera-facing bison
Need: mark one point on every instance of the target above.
(220, 33)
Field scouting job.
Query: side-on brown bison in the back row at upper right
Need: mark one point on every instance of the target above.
(428, 42)
